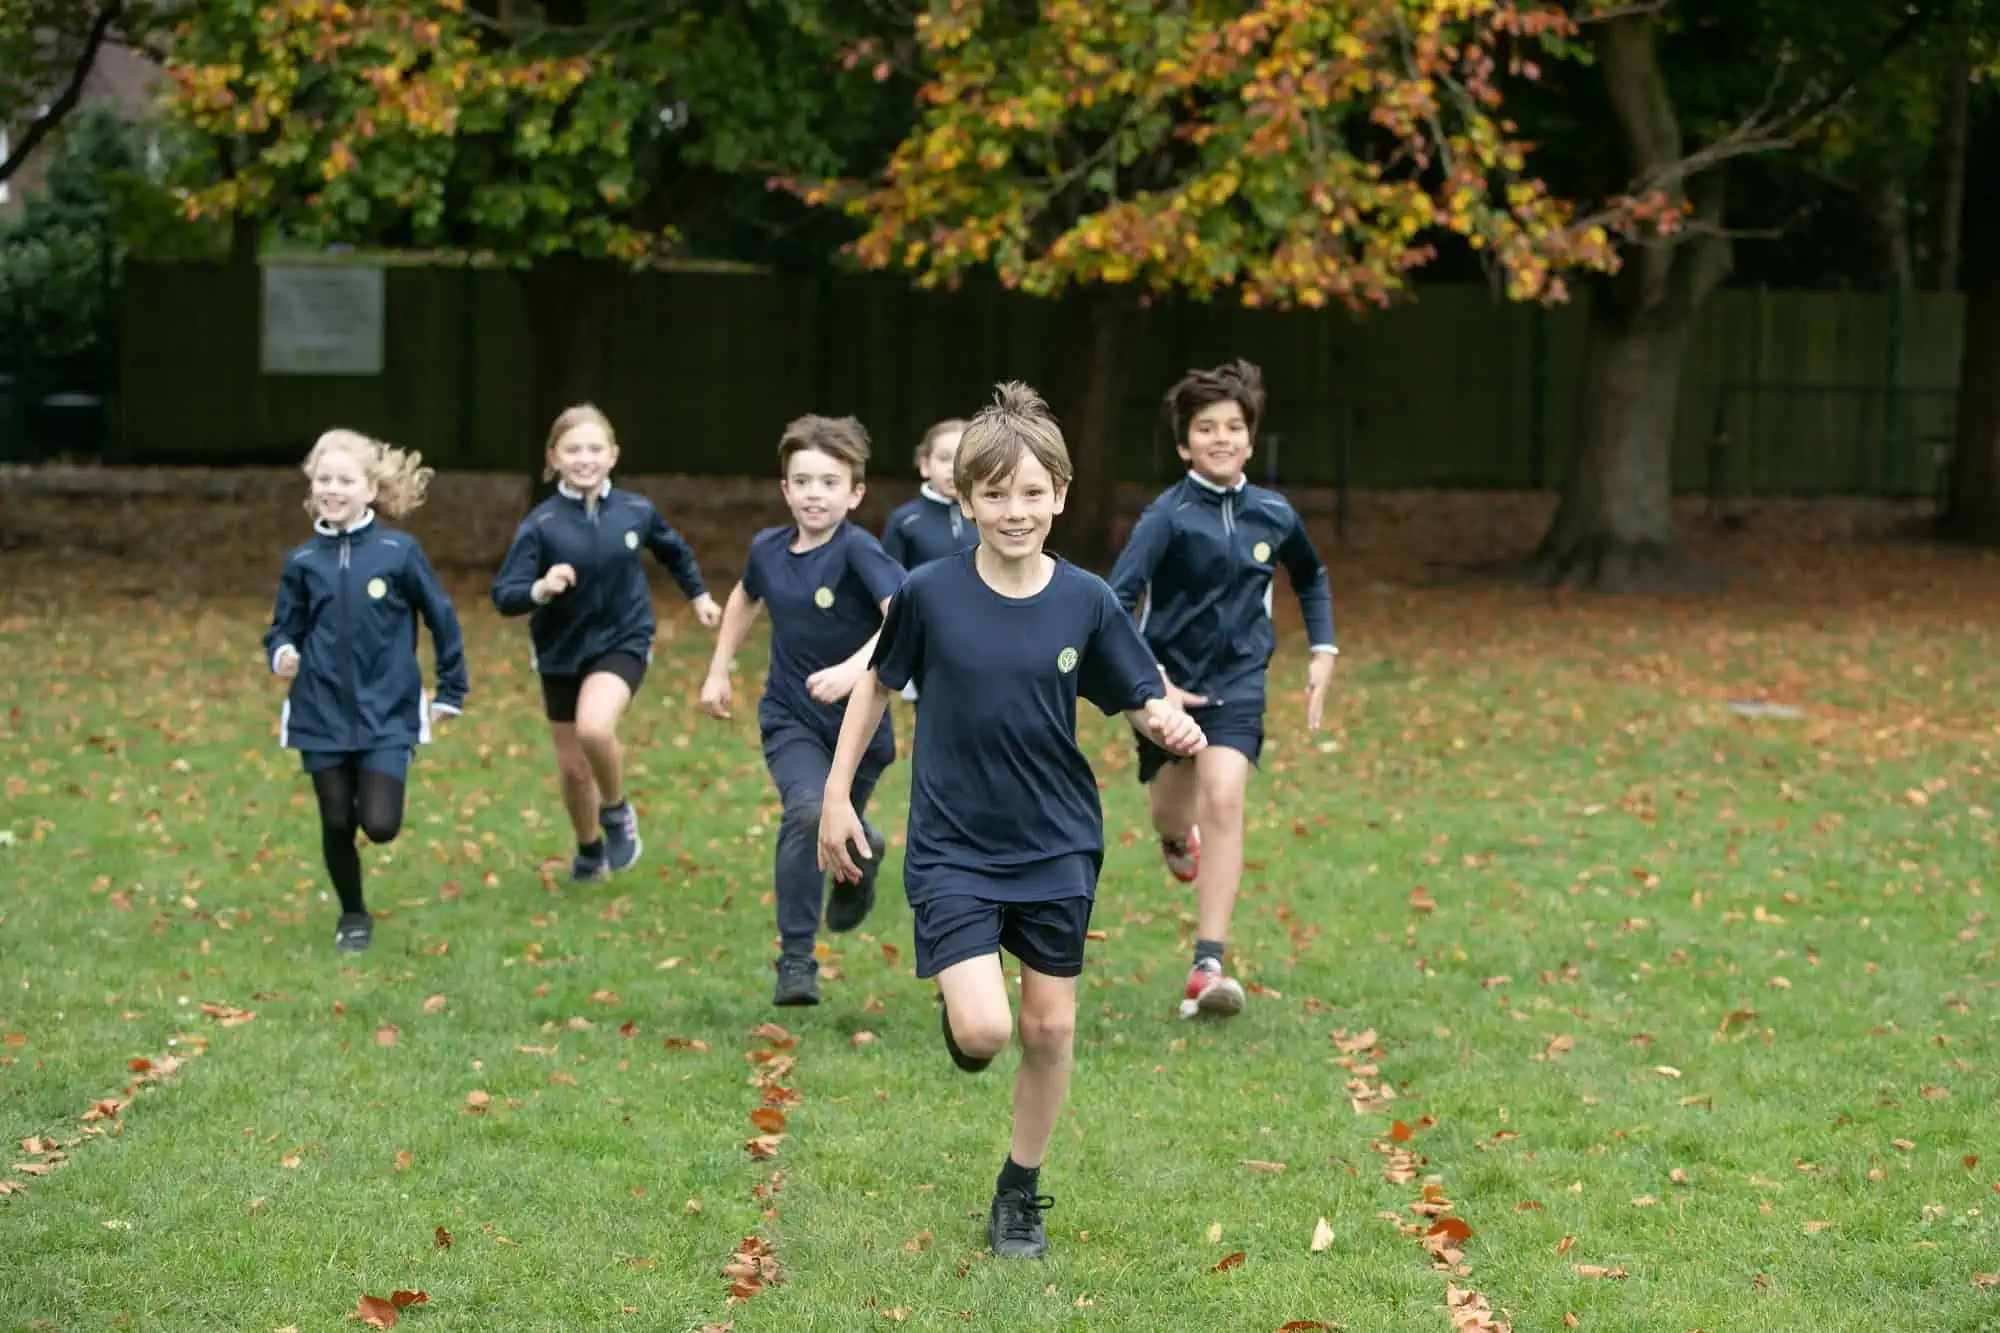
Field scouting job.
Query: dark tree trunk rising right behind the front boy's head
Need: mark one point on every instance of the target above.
(1087, 401)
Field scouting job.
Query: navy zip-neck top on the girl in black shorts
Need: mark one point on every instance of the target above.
(611, 607)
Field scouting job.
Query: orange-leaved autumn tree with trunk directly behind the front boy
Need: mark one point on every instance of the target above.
(1277, 151)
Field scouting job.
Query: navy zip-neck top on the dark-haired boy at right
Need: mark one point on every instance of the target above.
(1203, 559)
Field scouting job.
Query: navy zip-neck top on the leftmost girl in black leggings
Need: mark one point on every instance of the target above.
(349, 605)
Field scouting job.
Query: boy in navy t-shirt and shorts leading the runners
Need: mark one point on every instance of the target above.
(1007, 832)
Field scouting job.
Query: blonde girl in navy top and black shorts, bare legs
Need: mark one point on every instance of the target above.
(575, 569)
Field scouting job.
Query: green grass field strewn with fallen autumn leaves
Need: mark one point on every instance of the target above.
(1579, 1000)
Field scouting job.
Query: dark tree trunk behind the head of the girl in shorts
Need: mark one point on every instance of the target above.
(569, 303)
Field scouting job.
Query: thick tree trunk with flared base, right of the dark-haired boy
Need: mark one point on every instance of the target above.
(1615, 525)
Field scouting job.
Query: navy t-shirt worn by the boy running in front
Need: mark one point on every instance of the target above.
(1003, 802)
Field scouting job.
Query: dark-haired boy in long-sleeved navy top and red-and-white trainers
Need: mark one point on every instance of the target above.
(1203, 557)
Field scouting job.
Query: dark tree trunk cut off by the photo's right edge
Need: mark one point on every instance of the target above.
(1973, 505)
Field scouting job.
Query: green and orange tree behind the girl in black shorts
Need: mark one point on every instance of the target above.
(569, 139)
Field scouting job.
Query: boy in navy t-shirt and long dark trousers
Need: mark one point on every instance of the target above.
(827, 583)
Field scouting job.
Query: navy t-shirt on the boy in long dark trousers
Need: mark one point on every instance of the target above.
(823, 605)
